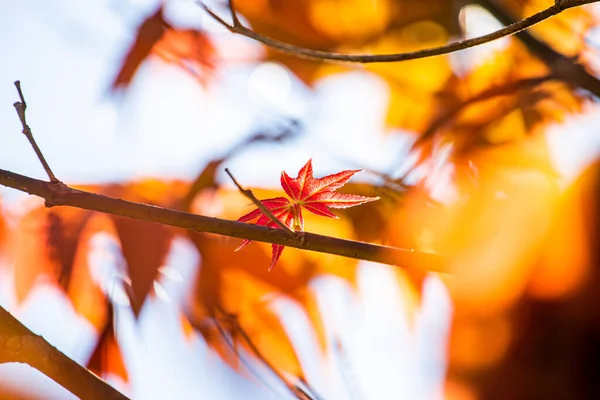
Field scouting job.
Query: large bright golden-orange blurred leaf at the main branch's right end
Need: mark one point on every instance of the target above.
(497, 190)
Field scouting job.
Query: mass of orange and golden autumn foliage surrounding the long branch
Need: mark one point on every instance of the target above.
(479, 185)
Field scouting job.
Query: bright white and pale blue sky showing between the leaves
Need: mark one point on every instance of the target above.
(66, 52)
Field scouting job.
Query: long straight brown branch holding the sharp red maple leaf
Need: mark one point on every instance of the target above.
(58, 194)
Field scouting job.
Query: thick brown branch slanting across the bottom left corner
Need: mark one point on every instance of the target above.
(19, 344)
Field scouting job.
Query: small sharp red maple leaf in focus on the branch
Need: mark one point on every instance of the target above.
(316, 195)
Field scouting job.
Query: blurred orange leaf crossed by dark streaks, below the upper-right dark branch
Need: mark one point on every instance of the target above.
(502, 100)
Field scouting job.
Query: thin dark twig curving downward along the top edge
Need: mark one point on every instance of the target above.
(302, 52)
